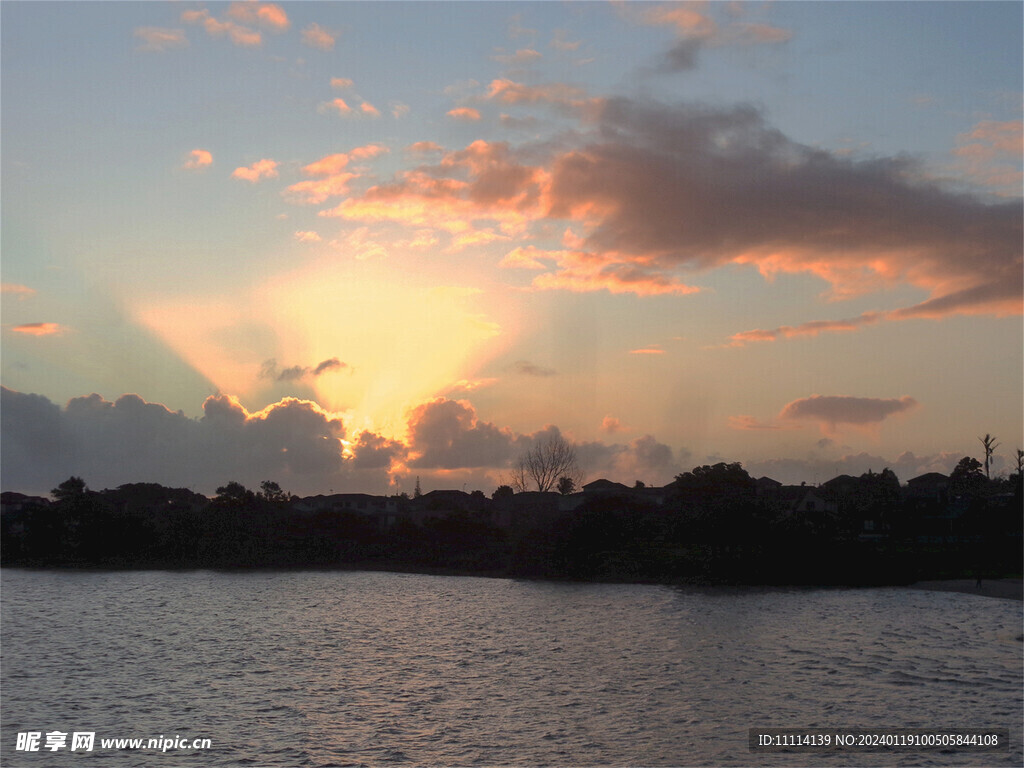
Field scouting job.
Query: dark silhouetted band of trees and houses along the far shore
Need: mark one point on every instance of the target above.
(710, 526)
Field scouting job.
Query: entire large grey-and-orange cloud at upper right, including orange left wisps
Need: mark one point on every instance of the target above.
(655, 193)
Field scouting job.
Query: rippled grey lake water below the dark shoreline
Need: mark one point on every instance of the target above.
(338, 669)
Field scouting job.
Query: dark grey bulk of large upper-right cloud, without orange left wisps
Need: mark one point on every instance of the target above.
(656, 191)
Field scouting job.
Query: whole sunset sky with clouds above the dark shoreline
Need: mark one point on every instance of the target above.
(345, 246)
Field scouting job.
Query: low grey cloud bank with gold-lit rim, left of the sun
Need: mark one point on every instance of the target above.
(293, 442)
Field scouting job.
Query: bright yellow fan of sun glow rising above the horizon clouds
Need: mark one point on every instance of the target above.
(401, 339)
